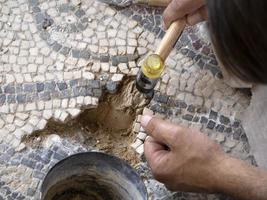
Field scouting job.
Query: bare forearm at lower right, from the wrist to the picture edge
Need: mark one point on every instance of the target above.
(241, 180)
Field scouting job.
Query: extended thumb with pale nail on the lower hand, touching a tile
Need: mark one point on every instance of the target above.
(160, 130)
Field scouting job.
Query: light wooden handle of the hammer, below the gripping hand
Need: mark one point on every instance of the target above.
(167, 43)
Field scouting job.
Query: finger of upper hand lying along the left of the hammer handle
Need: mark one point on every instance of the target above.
(179, 8)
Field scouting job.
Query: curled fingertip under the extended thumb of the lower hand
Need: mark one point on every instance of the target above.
(154, 151)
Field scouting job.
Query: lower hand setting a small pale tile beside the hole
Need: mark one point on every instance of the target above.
(183, 159)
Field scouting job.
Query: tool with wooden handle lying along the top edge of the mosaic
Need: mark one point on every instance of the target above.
(125, 3)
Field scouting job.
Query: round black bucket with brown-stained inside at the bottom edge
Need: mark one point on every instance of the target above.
(93, 176)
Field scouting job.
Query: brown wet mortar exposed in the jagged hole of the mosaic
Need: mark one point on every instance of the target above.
(108, 127)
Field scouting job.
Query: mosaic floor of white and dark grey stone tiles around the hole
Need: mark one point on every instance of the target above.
(59, 58)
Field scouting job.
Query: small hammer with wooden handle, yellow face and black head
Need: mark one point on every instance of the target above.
(153, 65)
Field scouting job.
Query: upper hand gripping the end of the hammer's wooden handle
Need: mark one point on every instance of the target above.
(194, 10)
